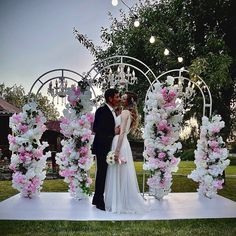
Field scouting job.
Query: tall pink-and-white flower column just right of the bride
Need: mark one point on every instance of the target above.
(161, 131)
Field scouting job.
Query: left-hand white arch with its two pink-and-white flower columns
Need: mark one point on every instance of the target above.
(28, 161)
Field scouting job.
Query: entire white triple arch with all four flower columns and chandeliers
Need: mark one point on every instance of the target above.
(163, 109)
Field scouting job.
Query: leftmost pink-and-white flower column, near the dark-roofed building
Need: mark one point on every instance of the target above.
(28, 162)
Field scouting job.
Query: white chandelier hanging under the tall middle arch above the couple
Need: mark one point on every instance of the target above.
(121, 77)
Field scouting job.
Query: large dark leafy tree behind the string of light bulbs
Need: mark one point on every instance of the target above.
(200, 31)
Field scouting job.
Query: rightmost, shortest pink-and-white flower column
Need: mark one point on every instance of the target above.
(210, 157)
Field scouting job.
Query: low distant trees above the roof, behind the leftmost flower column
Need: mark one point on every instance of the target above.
(17, 97)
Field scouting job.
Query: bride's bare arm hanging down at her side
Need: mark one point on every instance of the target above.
(124, 119)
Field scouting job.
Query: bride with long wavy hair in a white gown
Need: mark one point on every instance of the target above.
(121, 188)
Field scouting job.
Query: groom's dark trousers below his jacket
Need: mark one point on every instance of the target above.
(98, 198)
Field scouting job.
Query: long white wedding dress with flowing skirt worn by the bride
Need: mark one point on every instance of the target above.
(122, 193)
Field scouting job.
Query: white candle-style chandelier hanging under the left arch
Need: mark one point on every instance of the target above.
(59, 89)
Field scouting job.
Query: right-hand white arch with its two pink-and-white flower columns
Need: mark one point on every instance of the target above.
(164, 109)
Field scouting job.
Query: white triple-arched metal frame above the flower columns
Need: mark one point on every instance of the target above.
(99, 67)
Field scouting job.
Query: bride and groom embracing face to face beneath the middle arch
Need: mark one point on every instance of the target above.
(116, 186)
